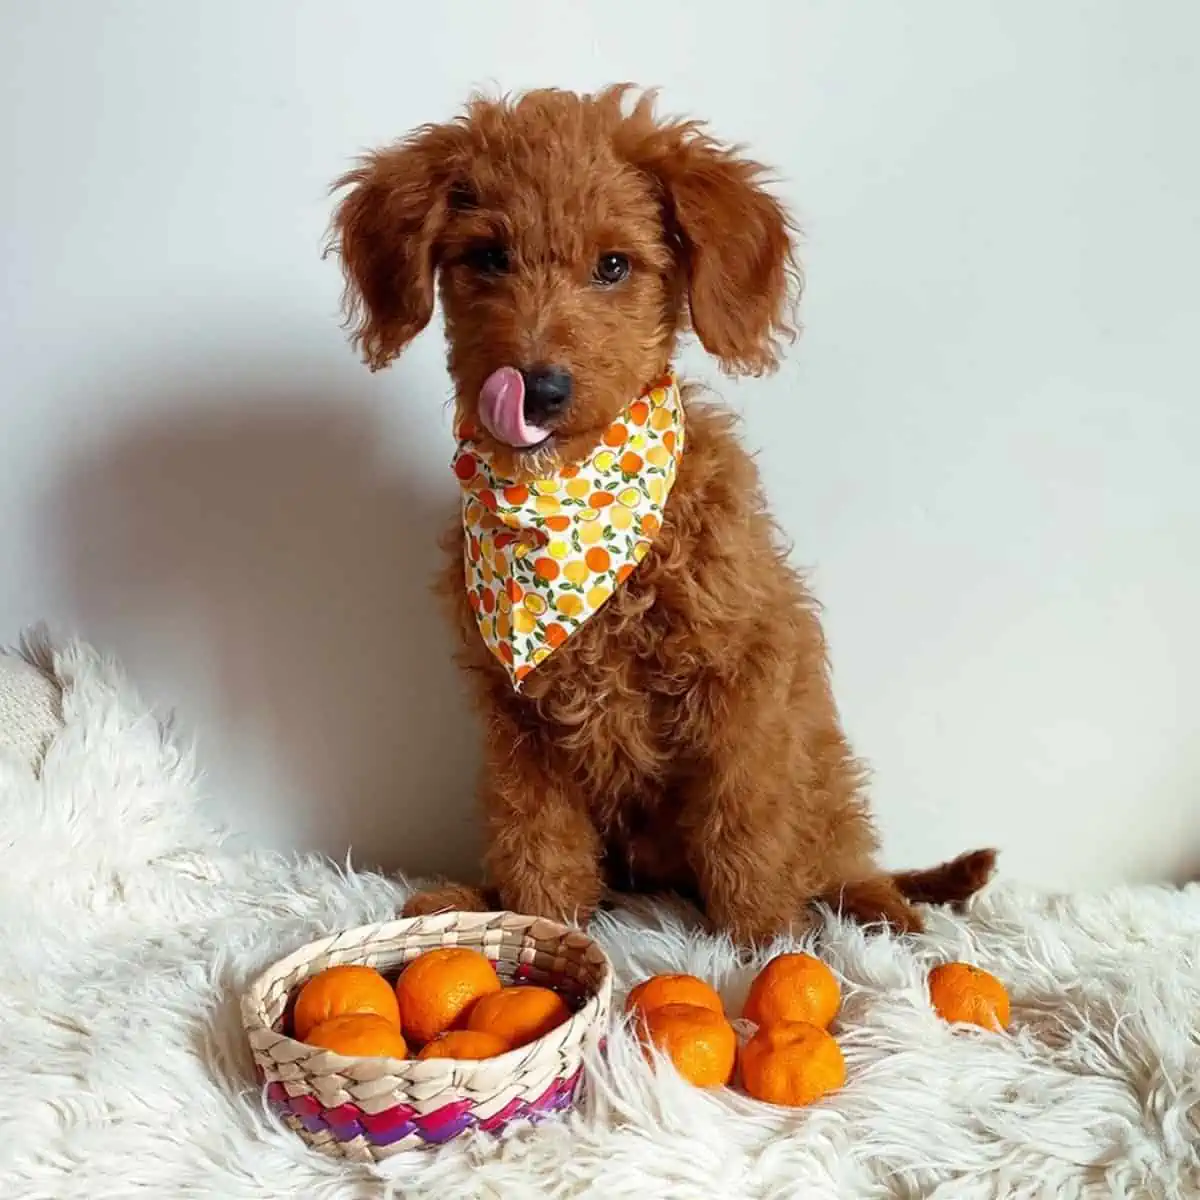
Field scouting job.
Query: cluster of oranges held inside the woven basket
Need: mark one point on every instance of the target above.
(447, 1004)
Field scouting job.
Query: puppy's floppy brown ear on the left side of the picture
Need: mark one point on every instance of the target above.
(387, 232)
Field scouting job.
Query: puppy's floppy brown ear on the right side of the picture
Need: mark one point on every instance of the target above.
(735, 239)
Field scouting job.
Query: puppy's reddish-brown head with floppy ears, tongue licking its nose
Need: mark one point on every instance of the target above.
(571, 239)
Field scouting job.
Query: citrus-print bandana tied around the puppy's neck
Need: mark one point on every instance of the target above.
(542, 557)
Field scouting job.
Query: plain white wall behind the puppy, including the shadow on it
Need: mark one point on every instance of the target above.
(986, 445)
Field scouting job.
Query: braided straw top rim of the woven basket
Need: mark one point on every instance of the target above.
(427, 1070)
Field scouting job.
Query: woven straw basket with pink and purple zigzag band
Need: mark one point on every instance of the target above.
(368, 1109)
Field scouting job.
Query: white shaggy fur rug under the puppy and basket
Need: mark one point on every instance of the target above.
(128, 933)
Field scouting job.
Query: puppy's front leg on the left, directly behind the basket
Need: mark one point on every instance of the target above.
(544, 851)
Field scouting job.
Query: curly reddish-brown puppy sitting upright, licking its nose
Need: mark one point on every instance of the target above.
(685, 736)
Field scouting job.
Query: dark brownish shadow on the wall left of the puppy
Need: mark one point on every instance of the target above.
(269, 533)
